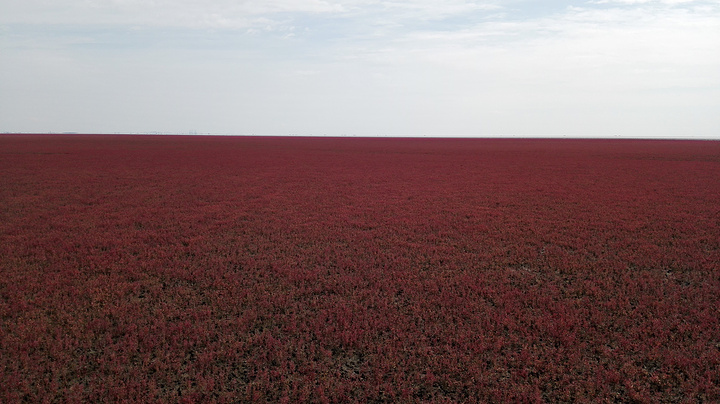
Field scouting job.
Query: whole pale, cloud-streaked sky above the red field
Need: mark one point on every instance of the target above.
(638, 68)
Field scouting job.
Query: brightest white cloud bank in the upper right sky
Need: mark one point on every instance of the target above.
(577, 39)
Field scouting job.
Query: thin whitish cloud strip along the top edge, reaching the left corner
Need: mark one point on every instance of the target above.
(216, 13)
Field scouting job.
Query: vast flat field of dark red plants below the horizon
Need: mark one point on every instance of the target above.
(226, 269)
